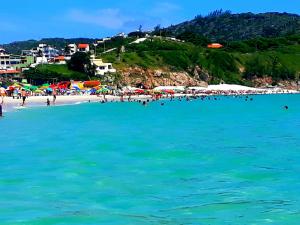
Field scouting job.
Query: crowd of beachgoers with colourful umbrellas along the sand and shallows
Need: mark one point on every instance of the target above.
(135, 95)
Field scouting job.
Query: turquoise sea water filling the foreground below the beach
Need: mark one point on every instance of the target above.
(201, 162)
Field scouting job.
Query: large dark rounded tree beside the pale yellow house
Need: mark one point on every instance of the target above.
(81, 62)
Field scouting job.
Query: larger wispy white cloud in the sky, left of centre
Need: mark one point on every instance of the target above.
(107, 18)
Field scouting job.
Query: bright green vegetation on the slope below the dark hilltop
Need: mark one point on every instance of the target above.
(238, 62)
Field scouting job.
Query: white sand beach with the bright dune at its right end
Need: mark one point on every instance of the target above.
(11, 104)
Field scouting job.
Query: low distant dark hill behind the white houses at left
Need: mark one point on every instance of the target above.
(60, 43)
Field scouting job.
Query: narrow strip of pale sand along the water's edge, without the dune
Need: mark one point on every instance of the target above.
(11, 104)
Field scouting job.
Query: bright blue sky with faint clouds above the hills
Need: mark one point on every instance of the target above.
(36, 19)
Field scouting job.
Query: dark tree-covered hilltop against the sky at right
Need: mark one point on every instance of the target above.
(225, 26)
